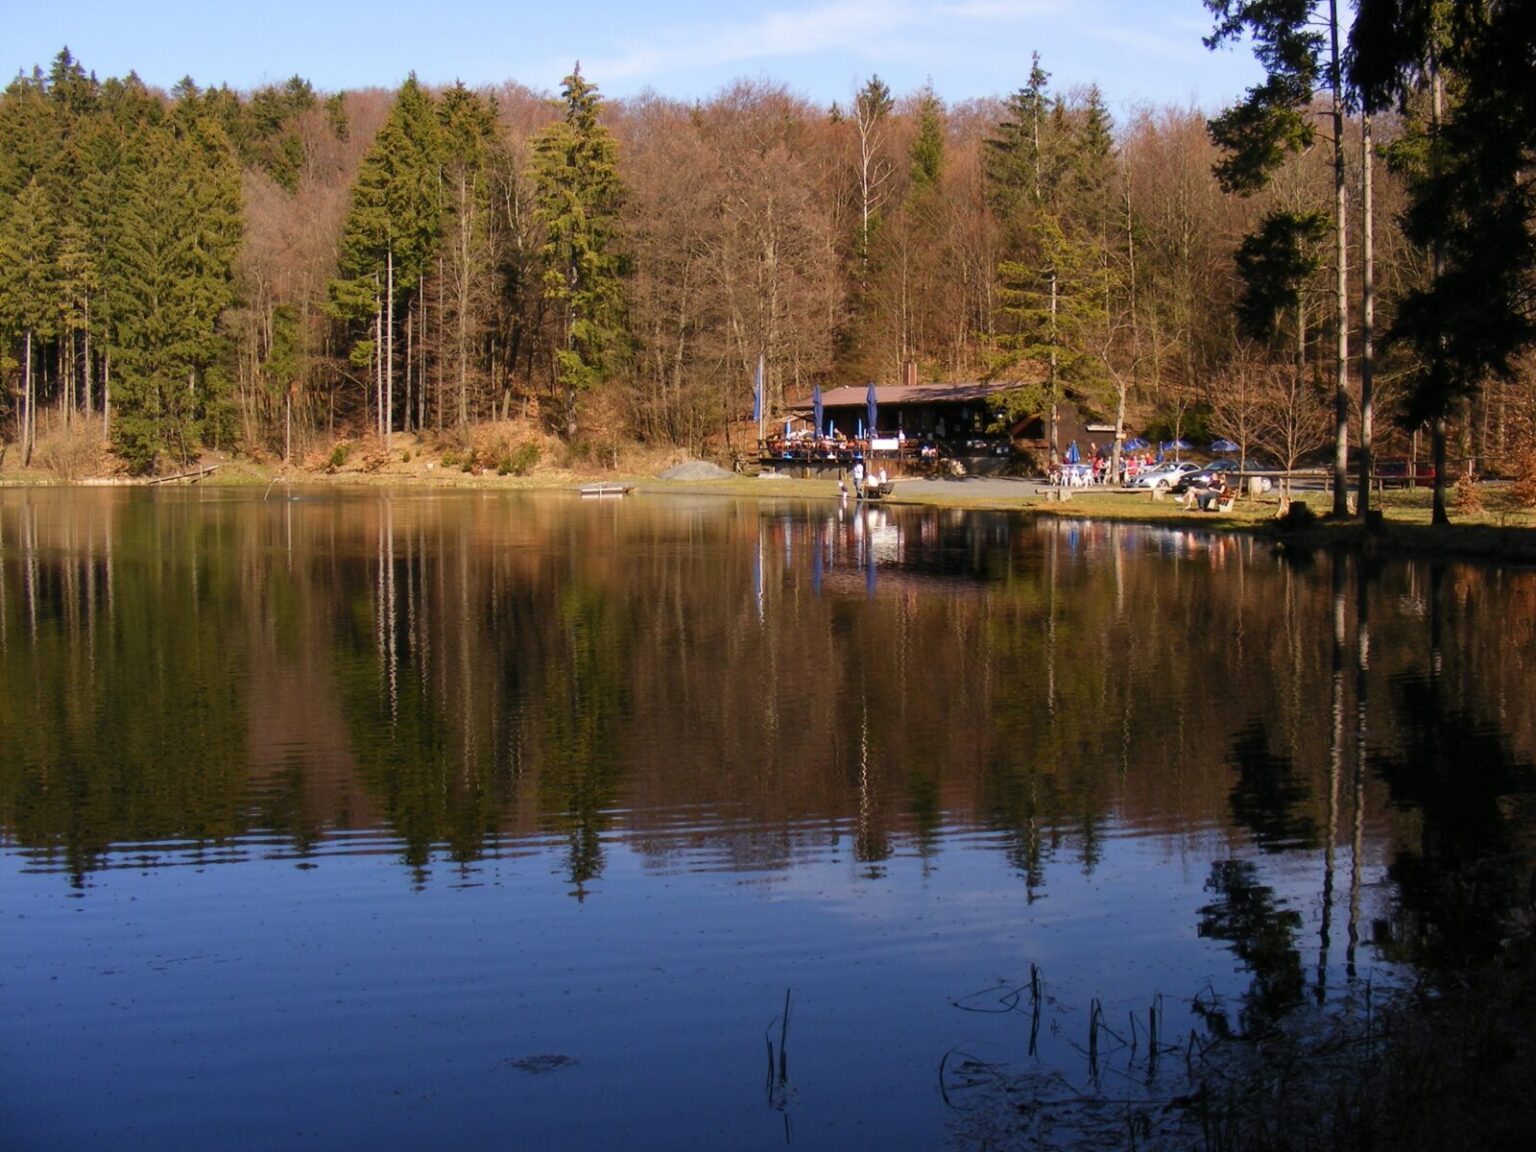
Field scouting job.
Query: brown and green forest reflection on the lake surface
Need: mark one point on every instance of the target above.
(469, 670)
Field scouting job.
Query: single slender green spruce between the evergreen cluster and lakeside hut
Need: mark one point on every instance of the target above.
(580, 196)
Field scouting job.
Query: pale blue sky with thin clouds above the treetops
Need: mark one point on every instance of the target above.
(1136, 50)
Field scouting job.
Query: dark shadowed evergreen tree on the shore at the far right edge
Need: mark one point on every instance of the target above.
(1472, 200)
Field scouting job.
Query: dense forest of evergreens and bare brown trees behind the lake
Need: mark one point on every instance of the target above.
(1345, 253)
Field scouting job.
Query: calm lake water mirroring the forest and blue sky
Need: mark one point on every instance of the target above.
(514, 821)
